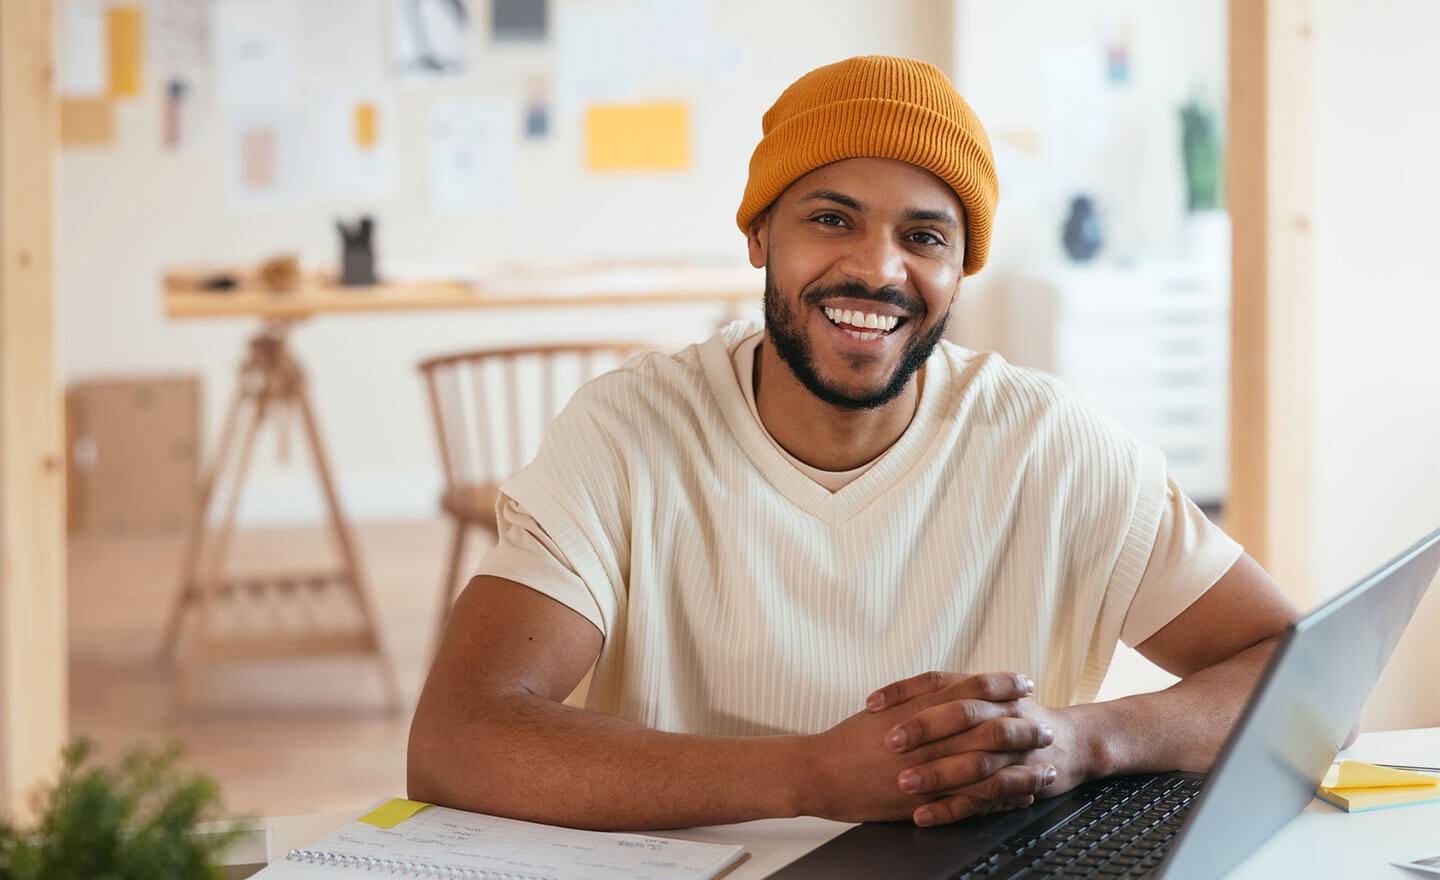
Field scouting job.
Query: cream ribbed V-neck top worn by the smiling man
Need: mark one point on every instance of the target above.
(570, 529)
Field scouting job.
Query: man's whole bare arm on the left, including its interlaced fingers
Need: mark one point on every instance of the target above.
(492, 735)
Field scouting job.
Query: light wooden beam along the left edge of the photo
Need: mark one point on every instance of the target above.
(32, 477)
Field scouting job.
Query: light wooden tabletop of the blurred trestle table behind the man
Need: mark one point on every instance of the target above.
(186, 296)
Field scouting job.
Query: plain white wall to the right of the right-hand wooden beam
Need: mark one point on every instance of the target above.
(1377, 315)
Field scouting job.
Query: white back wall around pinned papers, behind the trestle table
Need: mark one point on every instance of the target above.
(132, 211)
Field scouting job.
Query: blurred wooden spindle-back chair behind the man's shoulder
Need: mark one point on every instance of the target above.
(492, 408)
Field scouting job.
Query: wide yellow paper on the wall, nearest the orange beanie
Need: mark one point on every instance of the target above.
(639, 138)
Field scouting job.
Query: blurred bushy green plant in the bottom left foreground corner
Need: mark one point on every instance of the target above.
(129, 823)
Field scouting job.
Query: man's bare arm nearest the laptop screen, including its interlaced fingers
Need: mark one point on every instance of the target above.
(1219, 647)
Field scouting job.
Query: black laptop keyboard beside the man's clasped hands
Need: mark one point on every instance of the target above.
(1122, 830)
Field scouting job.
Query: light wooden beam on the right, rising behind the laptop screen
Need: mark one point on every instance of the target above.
(1272, 344)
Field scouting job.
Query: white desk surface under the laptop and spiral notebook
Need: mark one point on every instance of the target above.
(1323, 842)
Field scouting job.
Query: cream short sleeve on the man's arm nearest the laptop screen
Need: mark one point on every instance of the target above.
(1190, 555)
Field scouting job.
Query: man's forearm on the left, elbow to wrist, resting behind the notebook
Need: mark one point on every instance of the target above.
(532, 758)
